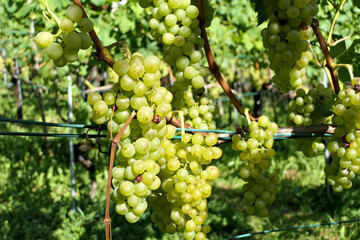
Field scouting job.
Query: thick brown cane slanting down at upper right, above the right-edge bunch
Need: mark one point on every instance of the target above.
(330, 64)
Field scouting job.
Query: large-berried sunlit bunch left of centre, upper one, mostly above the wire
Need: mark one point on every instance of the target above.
(139, 89)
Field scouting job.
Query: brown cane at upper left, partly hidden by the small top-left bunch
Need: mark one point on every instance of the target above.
(102, 53)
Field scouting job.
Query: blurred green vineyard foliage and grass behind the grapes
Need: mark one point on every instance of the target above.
(35, 186)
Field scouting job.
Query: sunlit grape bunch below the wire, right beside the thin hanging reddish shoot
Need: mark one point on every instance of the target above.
(136, 177)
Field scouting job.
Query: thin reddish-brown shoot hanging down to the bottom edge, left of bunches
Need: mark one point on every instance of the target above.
(114, 144)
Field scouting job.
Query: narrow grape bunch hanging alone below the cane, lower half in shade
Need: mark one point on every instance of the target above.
(256, 150)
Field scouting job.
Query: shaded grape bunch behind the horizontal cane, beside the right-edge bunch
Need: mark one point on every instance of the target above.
(302, 113)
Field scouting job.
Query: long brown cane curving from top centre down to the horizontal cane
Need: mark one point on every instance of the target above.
(214, 67)
